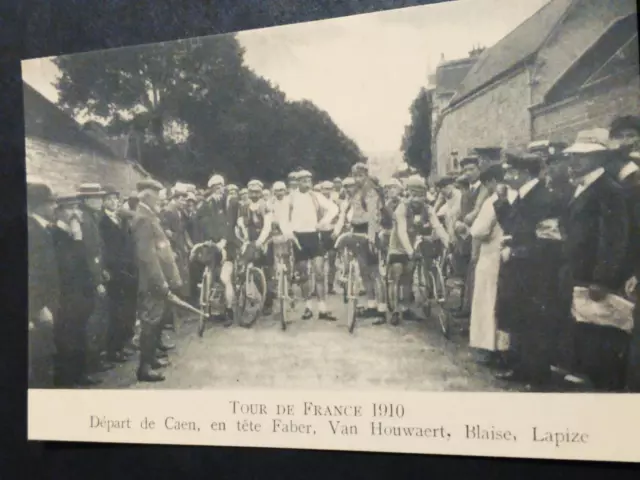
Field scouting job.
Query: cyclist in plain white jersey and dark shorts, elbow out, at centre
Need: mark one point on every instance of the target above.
(309, 214)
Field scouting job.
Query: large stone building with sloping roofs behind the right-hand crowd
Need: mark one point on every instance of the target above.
(572, 65)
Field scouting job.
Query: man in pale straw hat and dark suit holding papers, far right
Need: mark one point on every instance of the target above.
(597, 243)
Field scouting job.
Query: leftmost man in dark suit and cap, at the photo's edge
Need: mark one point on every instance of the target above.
(44, 285)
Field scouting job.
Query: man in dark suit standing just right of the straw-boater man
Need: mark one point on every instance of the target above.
(121, 286)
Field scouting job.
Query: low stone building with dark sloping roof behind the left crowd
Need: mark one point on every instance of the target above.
(62, 153)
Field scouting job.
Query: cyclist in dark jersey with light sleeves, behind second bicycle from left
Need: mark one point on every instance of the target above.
(254, 225)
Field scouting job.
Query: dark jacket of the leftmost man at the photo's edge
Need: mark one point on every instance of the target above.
(44, 282)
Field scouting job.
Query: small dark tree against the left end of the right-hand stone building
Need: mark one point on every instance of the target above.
(416, 142)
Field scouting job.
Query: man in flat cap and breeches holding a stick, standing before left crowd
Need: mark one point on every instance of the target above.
(158, 275)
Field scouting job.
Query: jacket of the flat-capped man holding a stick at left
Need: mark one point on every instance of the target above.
(157, 269)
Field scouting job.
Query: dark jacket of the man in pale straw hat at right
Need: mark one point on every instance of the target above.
(597, 235)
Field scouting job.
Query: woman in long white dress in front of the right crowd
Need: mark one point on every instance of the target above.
(487, 233)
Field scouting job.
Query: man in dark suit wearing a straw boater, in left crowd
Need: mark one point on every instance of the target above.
(91, 197)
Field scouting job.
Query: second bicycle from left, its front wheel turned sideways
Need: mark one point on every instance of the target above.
(250, 286)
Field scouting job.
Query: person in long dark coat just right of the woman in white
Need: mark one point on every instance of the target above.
(524, 287)
